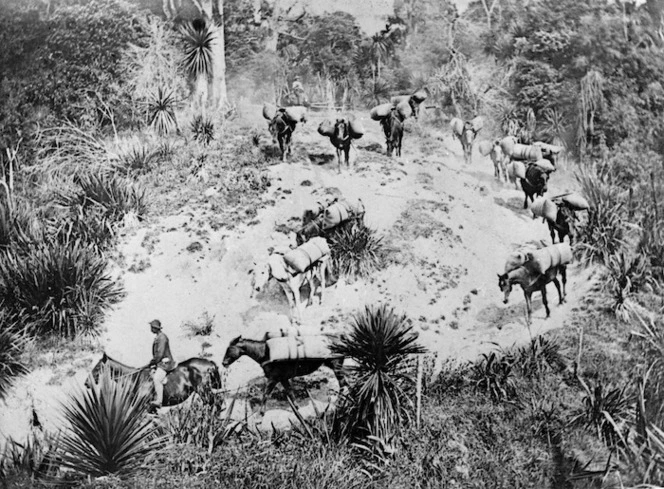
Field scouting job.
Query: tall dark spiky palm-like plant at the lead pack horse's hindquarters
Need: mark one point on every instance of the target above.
(378, 401)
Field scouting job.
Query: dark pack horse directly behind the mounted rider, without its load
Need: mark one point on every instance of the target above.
(279, 372)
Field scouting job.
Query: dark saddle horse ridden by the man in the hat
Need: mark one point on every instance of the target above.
(182, 382)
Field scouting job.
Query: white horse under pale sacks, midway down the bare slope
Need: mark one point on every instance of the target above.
(290, 280)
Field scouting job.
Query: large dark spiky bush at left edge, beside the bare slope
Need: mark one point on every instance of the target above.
(55, 287)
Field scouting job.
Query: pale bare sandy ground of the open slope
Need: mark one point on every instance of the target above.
(450, 227)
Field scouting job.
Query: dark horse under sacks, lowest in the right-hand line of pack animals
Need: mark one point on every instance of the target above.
(531, 281)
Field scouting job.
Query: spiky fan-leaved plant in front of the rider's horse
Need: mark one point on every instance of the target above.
(109, 429)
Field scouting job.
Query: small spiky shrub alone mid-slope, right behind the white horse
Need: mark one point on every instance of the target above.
(355, 249)
